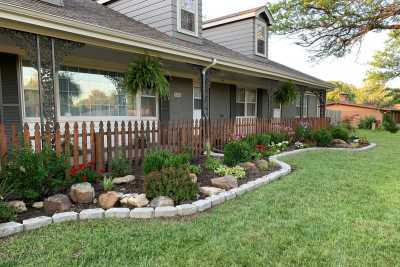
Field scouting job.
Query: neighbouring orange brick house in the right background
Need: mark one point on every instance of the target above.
(354, 113)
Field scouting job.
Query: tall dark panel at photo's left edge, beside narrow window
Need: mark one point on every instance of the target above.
(10, 111)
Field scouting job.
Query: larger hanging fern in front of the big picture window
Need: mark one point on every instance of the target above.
(147, 74)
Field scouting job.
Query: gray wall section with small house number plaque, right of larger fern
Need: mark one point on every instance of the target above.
(181, 99)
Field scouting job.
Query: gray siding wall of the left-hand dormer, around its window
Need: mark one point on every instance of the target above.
(159, 14)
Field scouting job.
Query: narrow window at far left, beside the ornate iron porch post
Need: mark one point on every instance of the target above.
(31, 91)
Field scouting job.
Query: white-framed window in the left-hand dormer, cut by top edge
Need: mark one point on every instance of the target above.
(188, 17)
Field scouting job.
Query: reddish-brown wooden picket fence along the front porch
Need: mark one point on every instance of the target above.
(99, 144)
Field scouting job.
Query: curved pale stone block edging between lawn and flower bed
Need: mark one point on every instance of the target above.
(11, 228)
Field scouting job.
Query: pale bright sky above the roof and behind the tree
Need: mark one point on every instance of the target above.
(350, 69)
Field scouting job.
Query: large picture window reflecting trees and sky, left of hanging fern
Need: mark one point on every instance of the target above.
(92, 93)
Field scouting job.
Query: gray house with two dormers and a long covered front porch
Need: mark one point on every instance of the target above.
(82, 49)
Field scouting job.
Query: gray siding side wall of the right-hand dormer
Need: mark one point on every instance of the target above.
(238, 36)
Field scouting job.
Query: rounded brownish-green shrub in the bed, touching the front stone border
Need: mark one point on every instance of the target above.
(175, 183)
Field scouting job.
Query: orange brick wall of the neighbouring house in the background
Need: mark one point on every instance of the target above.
(355, 114)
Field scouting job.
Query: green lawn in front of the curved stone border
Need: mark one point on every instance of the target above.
(336, 209)
